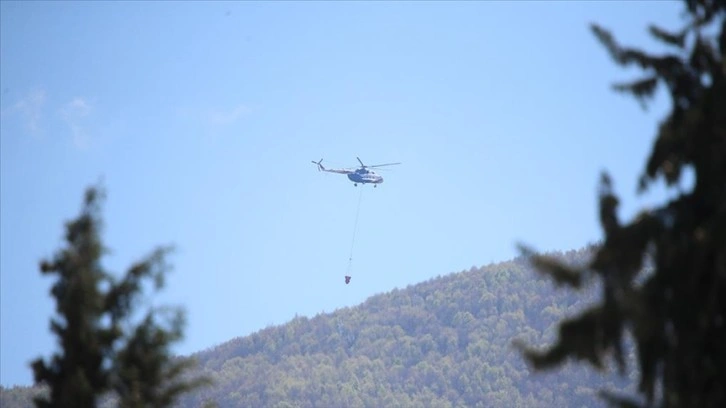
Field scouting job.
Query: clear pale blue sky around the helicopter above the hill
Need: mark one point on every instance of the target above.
(202, 119)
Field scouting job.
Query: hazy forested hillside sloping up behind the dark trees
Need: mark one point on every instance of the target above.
(446, 342)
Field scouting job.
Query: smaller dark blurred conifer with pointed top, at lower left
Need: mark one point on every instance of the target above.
(102, 351)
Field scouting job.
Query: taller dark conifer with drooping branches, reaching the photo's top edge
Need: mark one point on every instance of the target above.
(674, 308)
